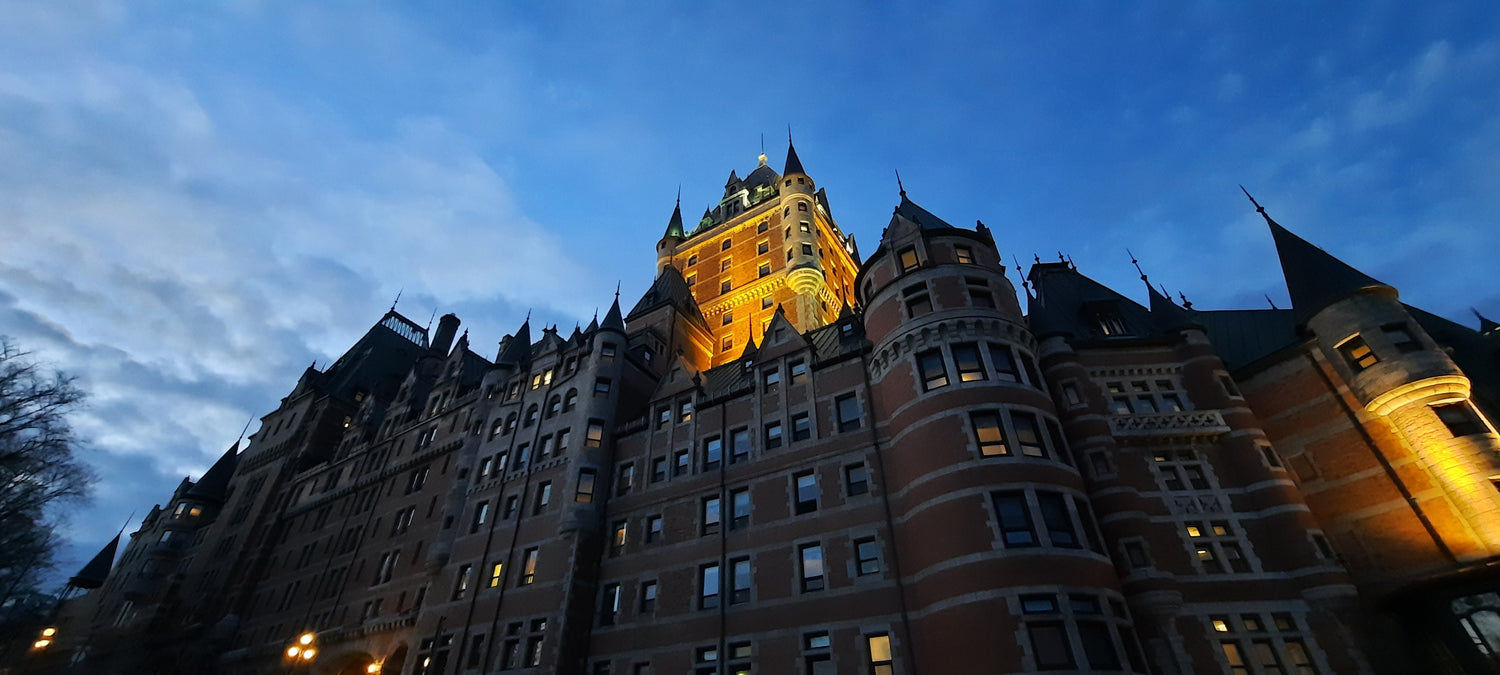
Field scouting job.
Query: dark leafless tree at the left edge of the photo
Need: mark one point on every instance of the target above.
(40, 470)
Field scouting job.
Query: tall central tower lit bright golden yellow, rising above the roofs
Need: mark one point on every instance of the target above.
(770, 242)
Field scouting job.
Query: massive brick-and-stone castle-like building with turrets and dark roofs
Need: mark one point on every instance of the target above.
(784, 460)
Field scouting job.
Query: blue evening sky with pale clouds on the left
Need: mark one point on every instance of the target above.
(197, 200)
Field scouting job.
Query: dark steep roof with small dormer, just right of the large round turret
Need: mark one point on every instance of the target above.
(1069, 304)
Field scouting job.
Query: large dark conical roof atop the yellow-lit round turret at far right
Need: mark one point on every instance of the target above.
(1315, 277)
